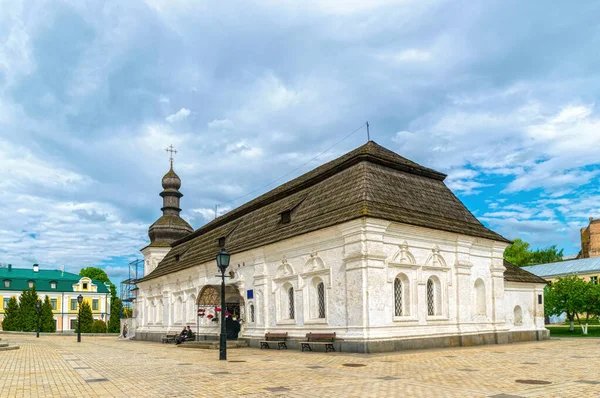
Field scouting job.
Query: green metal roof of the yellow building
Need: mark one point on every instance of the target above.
(19, 278)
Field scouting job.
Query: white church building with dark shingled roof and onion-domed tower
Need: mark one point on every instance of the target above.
(371, 246)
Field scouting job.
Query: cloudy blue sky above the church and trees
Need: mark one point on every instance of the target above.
(500, 95)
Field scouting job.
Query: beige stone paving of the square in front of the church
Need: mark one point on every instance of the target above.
(57, 366)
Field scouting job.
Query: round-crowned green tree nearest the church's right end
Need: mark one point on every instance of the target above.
(567, 295)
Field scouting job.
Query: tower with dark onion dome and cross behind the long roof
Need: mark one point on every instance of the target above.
(170, 226)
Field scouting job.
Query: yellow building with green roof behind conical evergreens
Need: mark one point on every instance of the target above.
(61, 287)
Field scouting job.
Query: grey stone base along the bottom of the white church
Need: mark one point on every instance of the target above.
(390, 345)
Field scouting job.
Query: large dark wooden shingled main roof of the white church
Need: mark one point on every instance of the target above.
(368, 181)
